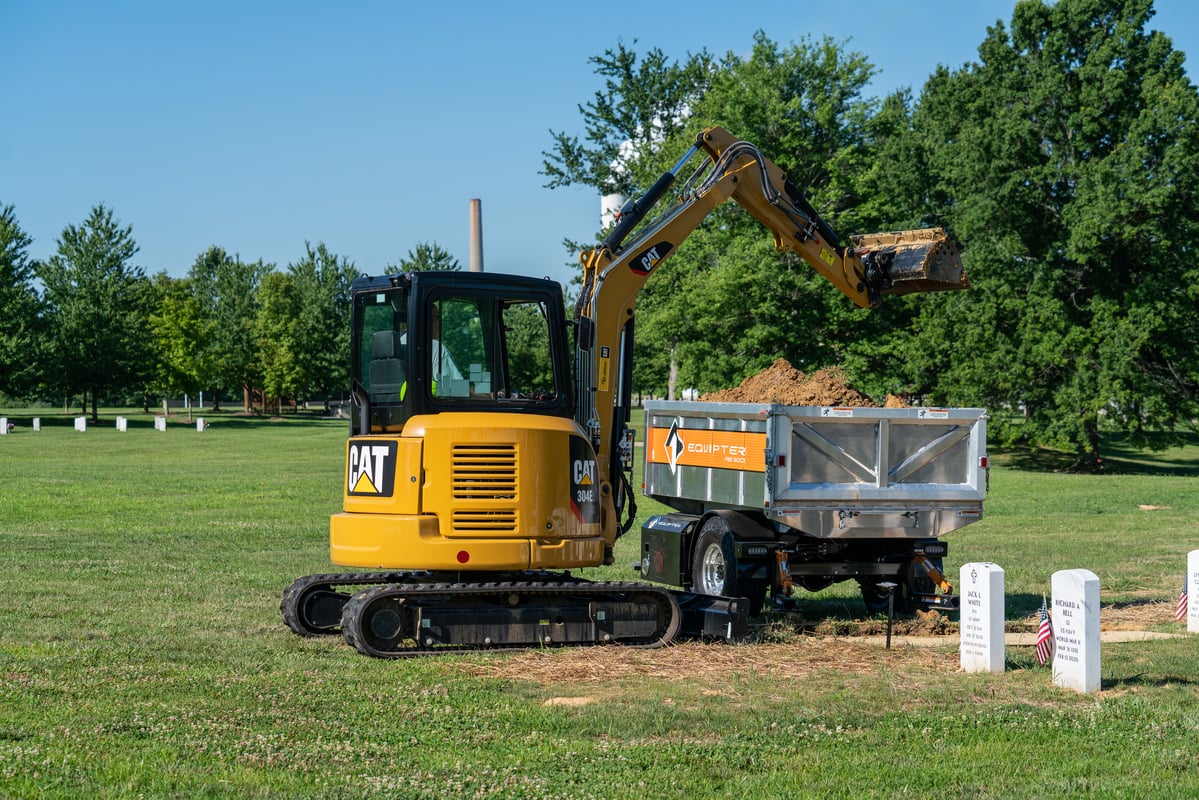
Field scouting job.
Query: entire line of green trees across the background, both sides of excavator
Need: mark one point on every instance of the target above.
(1065, 161)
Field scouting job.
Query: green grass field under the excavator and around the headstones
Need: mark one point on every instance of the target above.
(142, 653)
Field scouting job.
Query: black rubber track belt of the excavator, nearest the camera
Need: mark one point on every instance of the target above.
(352, 616)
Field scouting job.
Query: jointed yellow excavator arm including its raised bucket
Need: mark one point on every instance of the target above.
(864, 270)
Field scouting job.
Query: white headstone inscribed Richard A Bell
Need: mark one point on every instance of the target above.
(1076, 630)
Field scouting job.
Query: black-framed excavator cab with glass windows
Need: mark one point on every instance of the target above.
(449, 342)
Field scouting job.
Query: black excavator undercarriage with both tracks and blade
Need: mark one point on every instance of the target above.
(400, 615)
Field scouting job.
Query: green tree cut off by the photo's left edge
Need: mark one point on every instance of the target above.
(20, 321)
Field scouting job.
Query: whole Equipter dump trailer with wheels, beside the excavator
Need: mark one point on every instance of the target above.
(772, 497)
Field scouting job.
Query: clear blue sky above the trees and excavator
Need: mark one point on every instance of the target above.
(370, 127)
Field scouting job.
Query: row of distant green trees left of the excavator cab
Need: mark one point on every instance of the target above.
(88, 323)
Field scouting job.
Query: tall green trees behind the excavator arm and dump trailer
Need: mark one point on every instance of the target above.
(1065, 161)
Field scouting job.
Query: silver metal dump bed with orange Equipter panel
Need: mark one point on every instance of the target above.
(828, 472)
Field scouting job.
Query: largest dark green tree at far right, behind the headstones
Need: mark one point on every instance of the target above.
(1068, 160)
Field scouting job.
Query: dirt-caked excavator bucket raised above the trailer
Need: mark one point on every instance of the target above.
(915, 261)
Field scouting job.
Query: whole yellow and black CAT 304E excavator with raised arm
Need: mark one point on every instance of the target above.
(485, 464)
